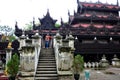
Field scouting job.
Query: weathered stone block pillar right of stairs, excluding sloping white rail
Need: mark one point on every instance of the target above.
(65, 59)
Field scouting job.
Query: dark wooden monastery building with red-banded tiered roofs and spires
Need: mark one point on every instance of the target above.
(95, 26)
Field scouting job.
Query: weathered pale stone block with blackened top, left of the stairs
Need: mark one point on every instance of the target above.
(27, 60)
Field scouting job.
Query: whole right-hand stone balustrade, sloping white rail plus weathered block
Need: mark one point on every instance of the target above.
(64, 50)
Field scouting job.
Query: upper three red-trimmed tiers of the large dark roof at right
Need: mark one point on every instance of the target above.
(91, 12)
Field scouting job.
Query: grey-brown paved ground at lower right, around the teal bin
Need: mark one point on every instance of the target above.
(108, 74)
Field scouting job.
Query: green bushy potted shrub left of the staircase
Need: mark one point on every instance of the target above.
(13, 67)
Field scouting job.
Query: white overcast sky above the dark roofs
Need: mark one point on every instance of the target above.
(23, 11)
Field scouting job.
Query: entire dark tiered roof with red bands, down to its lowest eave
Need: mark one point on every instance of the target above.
(95, 18)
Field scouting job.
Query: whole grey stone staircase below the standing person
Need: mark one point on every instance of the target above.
(46, 69)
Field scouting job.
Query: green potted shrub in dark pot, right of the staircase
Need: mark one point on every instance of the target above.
(78, 66)
